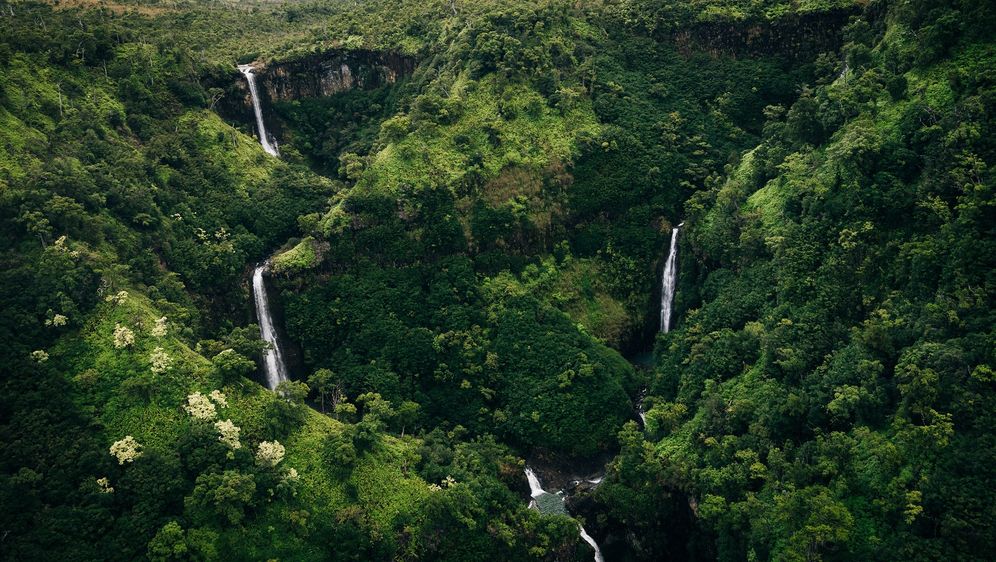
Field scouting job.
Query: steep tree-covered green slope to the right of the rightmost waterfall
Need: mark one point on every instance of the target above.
(834, 366)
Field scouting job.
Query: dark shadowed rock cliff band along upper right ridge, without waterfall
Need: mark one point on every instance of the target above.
(795, 37)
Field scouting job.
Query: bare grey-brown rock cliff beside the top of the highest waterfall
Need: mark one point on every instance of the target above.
(325, 74)
